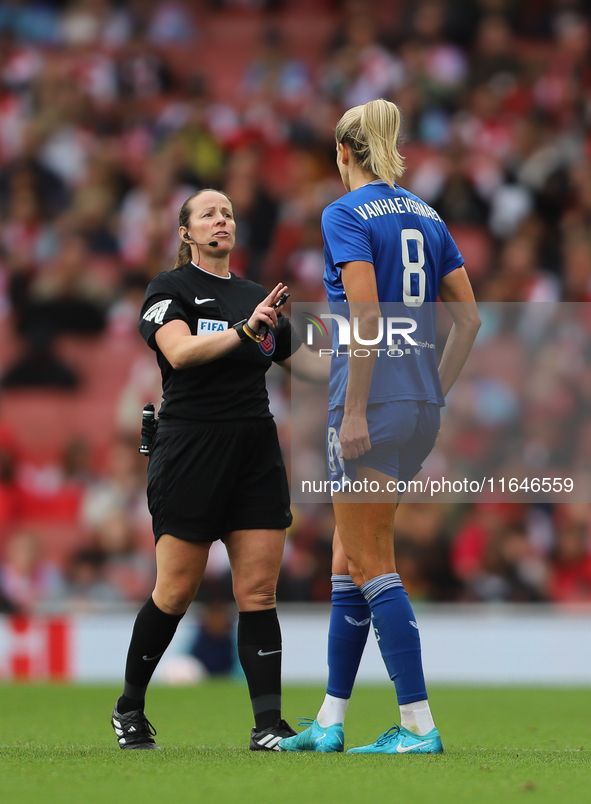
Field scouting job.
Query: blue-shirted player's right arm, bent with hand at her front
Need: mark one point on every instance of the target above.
(456, 293)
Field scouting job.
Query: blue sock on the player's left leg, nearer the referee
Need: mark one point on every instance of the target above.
(347, 635)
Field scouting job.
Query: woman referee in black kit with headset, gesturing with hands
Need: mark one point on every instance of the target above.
(215, 470)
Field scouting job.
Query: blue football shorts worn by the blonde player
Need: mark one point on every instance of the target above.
(402, 434)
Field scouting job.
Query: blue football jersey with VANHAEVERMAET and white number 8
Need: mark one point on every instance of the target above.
(411, 250)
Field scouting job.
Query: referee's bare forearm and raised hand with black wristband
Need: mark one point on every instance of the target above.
(183, 350)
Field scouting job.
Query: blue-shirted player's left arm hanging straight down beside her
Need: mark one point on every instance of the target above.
(359, 281)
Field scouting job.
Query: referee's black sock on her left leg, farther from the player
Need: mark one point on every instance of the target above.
(152, 634)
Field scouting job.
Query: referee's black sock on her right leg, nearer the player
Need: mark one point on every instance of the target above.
(259, 651)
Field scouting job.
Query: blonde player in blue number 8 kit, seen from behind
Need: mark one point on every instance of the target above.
(382, 245)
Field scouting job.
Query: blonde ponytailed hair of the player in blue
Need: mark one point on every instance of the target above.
(371, 131)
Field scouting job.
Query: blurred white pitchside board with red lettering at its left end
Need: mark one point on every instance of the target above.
(519, 644)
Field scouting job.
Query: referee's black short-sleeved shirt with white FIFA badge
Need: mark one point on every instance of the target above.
(231, 387)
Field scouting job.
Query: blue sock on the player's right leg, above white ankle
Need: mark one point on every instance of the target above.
(398, 635)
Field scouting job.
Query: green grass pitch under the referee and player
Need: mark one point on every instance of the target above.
(501, 746)
